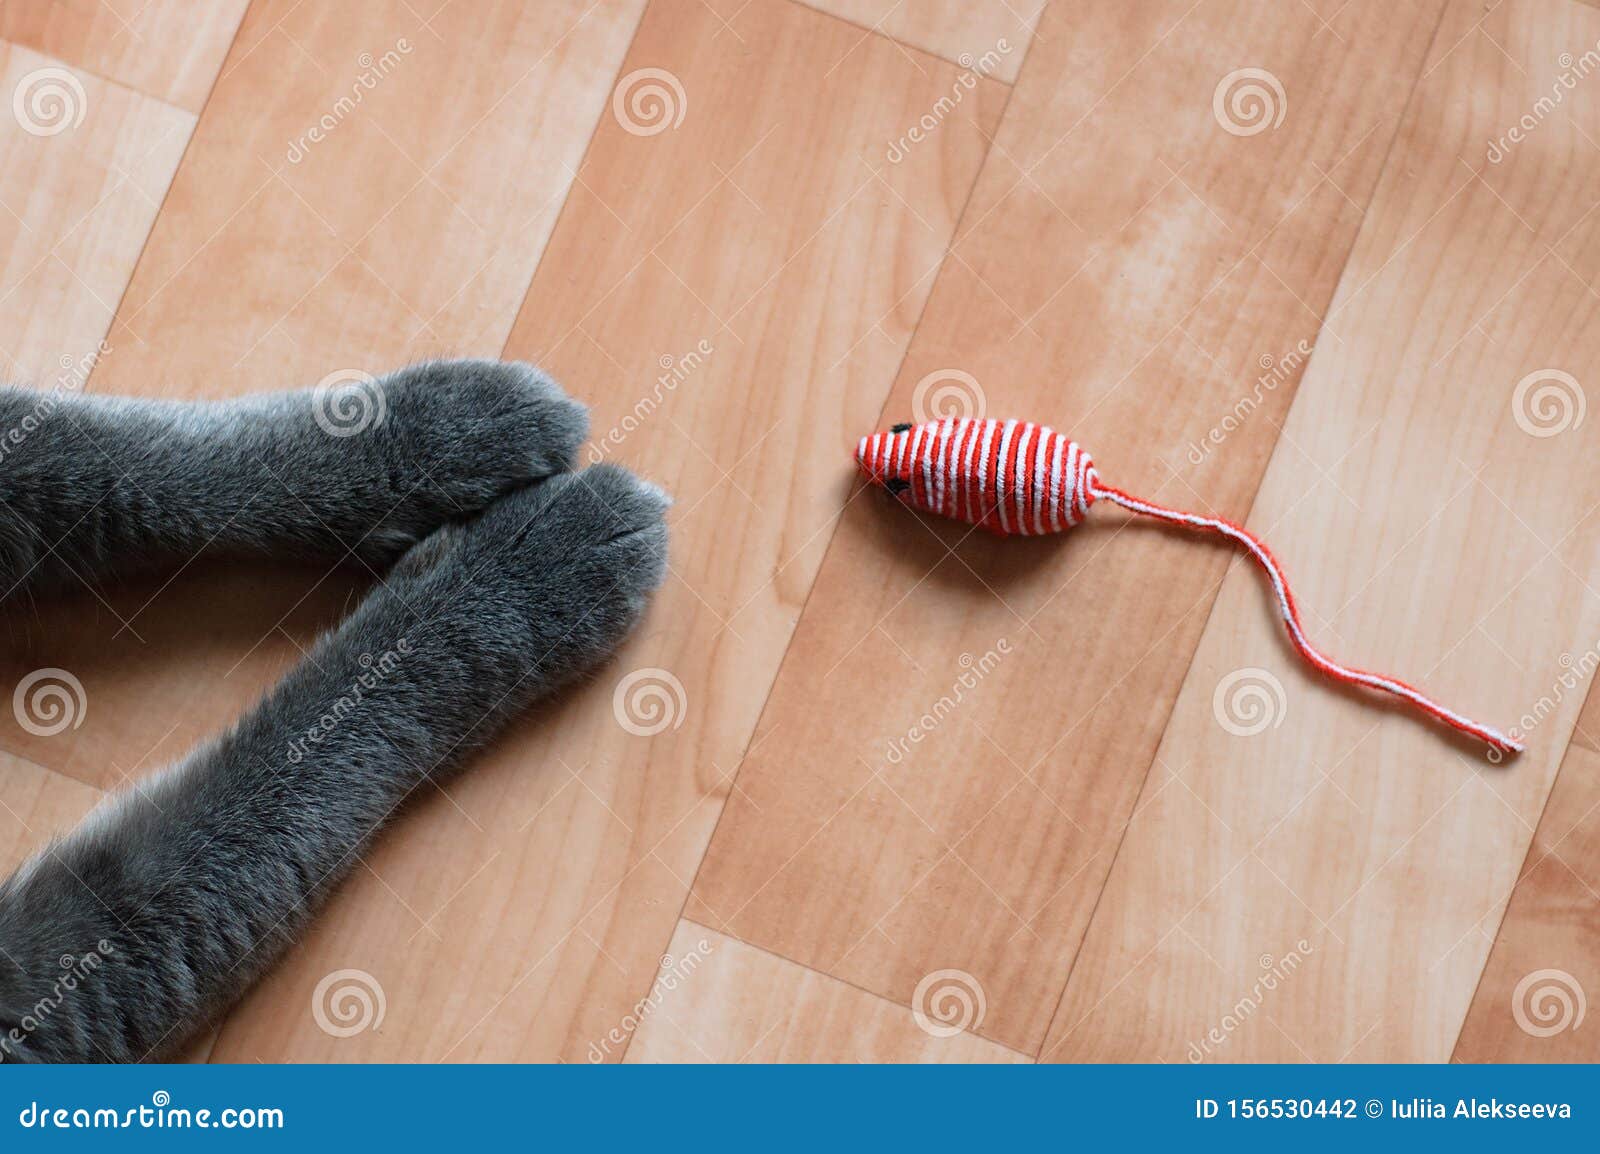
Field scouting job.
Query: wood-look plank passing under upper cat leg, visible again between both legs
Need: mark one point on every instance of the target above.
(410, 230)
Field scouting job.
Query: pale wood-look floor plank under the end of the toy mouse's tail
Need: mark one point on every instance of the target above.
(1434, 534)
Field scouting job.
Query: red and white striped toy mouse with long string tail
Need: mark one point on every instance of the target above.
(1017, 478)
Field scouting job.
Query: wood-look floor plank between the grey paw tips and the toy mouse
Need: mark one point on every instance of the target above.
(734, 297)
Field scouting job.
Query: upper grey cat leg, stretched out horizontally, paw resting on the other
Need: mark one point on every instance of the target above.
(359, 467)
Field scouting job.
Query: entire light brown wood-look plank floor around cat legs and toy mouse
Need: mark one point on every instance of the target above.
(1326, 266)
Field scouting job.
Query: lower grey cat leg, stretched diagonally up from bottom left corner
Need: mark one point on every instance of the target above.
(186, 888)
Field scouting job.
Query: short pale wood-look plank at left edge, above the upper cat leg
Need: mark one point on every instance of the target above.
(78, 199)
